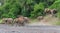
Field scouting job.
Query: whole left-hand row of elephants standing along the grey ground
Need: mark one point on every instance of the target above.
(21, 21)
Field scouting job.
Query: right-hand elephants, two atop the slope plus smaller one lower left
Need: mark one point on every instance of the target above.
(48, 11)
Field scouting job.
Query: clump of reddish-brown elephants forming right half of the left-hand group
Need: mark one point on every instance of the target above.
(21, 21)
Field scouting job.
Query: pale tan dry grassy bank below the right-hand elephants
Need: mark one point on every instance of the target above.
(48, 20)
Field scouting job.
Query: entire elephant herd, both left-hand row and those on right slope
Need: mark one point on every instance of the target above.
(21, 20)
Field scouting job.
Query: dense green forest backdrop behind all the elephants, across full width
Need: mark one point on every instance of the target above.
(29, 8)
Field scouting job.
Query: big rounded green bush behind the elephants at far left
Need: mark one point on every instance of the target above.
(10, 9)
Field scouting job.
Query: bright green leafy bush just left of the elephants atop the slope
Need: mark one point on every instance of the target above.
(38, 10)
